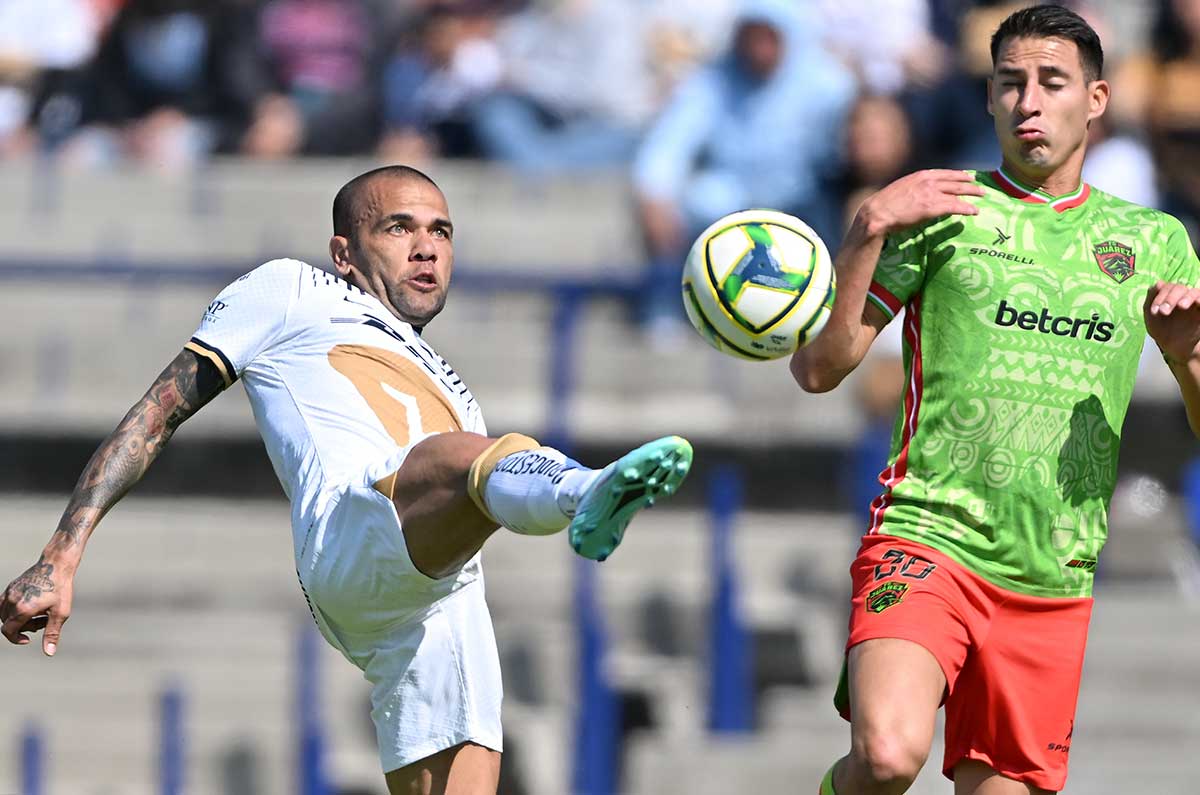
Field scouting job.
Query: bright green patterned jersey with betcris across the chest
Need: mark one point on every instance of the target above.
(1023, 332)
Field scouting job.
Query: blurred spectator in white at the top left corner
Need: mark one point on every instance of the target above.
(40, 41)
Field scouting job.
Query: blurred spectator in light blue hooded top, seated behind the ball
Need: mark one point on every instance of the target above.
(758, 128)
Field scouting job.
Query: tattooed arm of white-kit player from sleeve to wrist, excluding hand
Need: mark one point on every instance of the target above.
(187, 385)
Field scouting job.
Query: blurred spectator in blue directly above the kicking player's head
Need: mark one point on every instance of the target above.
(447, 62)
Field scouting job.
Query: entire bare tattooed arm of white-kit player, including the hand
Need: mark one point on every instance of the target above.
(41, 597)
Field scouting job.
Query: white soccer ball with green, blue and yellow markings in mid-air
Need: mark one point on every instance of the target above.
(759, 285)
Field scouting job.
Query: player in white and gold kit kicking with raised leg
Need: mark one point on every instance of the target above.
(394, 482)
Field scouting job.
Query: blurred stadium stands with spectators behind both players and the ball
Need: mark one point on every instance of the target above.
(153, 151)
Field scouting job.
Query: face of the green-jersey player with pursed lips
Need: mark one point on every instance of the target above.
(1042, 104)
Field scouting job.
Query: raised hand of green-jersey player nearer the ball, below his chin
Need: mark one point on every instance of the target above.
(919, 198)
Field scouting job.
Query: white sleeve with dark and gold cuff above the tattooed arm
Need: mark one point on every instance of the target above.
(247, 318)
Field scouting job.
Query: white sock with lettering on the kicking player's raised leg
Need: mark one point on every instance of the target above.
(536, 493)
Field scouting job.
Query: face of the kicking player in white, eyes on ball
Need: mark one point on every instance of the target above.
(403, 250)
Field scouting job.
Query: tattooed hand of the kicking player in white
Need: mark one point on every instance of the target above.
(38, 600)
